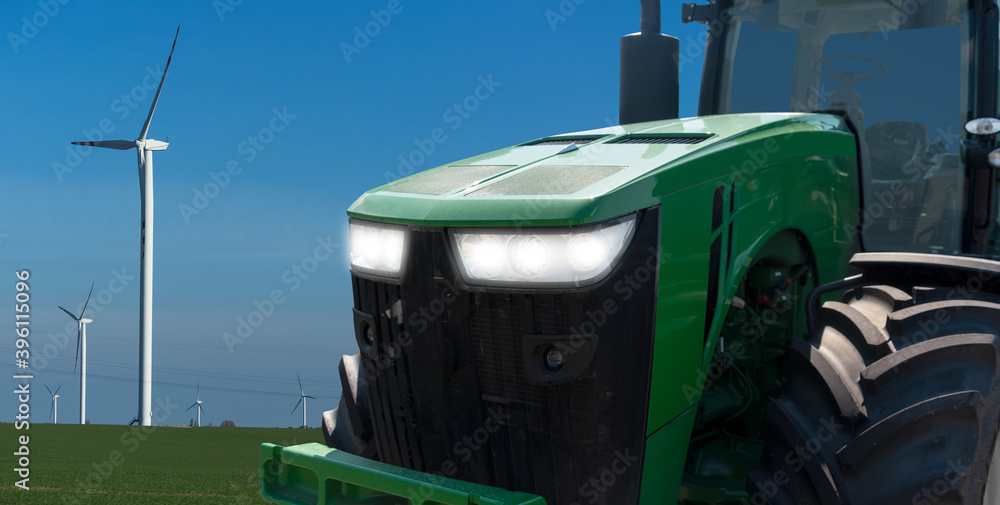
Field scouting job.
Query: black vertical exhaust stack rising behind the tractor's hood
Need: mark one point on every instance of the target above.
(650, 73)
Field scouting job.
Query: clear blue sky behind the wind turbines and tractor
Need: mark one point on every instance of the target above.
(308, 115)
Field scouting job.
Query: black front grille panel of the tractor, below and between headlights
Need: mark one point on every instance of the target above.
(450, 395)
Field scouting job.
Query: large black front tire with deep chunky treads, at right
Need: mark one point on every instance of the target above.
(895, 400)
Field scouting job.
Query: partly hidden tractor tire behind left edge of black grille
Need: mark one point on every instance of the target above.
(349, 426)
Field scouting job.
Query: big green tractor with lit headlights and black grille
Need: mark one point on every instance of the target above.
(793, 298)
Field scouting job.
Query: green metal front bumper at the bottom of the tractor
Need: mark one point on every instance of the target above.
(317, 475)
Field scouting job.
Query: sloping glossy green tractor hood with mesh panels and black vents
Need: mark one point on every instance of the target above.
(594, 175)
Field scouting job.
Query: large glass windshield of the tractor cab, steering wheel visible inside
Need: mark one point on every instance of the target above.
(898, 70)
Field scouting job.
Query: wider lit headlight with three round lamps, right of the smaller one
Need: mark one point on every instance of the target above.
(546, 257)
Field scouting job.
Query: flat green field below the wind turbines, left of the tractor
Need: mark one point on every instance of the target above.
(74, 464)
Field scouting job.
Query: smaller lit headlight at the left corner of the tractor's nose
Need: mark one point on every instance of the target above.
(377, 248)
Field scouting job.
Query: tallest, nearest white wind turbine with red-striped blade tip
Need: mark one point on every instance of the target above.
(144, 148)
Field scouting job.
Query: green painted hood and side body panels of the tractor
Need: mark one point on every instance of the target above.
(780, 174)
